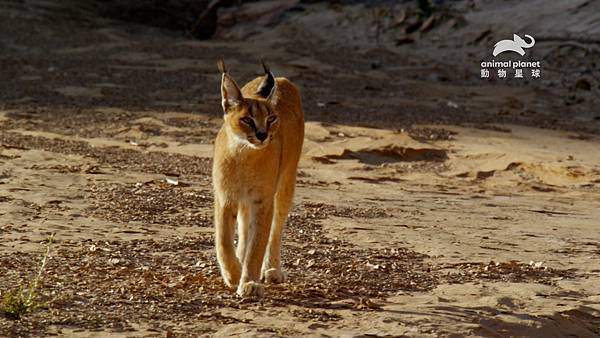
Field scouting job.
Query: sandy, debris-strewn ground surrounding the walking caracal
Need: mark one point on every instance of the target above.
(429, 202)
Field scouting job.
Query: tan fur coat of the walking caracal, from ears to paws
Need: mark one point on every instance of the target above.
(253, 181)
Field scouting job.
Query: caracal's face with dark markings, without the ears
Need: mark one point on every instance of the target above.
(253, 123)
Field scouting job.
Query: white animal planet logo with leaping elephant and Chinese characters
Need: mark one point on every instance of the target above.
(517, 45)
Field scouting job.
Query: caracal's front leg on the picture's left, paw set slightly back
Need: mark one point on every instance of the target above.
(224, 233)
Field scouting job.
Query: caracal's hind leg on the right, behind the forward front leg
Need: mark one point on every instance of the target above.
(271, 269)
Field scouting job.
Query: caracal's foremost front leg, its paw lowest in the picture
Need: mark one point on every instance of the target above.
(258, 234)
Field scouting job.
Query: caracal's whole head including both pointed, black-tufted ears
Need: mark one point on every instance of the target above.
(251, 121)
